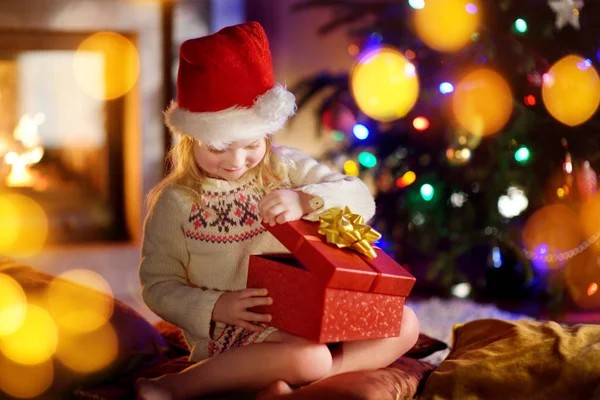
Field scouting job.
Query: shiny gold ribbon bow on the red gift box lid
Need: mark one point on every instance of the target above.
(345, 229)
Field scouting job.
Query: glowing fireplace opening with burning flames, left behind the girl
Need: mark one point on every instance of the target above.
(61, 144)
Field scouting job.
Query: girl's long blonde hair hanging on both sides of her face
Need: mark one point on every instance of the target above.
(185, 172)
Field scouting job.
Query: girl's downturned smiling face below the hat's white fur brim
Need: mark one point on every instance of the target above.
(232, 162)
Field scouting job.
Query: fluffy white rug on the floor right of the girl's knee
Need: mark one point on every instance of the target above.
(437, 317)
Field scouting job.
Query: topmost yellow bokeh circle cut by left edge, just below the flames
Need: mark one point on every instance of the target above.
(24, 226)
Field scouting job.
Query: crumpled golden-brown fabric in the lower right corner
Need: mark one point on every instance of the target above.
(493, 359)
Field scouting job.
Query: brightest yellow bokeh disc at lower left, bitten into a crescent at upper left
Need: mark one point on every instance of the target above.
(35, 341)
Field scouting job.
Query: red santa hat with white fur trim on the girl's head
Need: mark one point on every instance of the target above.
(226, 90)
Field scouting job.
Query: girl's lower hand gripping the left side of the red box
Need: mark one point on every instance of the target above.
(232, 308)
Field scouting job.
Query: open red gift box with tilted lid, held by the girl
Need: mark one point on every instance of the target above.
(328, 294)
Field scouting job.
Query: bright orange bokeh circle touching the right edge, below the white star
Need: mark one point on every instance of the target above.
(571, 90)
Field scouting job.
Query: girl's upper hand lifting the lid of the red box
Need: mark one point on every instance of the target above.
(284, 205)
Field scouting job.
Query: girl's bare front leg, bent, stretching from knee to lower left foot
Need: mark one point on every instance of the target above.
(250, 367)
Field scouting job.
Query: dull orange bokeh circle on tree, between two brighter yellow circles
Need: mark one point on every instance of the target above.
(482, 102)
